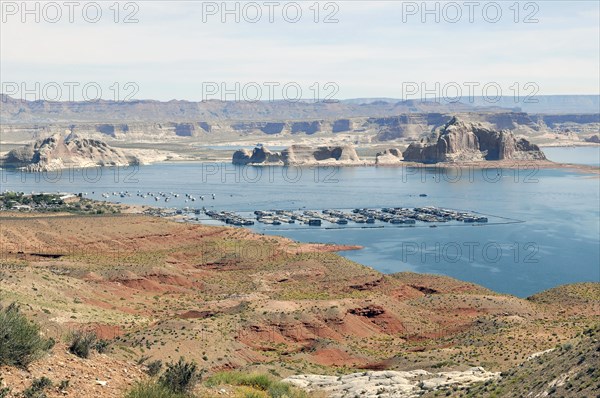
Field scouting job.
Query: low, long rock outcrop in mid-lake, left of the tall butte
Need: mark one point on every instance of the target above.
(299, 155)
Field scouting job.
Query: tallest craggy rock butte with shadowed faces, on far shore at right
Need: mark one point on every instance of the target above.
(460, 141)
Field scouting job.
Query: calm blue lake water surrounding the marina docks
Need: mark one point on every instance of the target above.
(551, 238)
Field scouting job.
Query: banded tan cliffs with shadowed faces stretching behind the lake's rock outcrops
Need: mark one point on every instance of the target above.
(406, 127)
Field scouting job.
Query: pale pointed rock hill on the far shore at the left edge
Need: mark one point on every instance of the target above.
(61, 151)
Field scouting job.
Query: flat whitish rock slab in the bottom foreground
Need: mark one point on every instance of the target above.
(390, 384)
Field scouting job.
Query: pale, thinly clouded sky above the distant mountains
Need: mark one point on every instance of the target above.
(194, 50)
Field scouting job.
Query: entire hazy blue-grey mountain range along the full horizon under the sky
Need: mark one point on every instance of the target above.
(22, 111)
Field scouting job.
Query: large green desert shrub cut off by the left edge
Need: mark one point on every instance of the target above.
(20, 339)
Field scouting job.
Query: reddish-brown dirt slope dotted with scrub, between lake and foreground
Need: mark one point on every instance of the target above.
(232, 299)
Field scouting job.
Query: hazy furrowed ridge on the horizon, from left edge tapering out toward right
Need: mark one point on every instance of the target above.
(22, 111)
